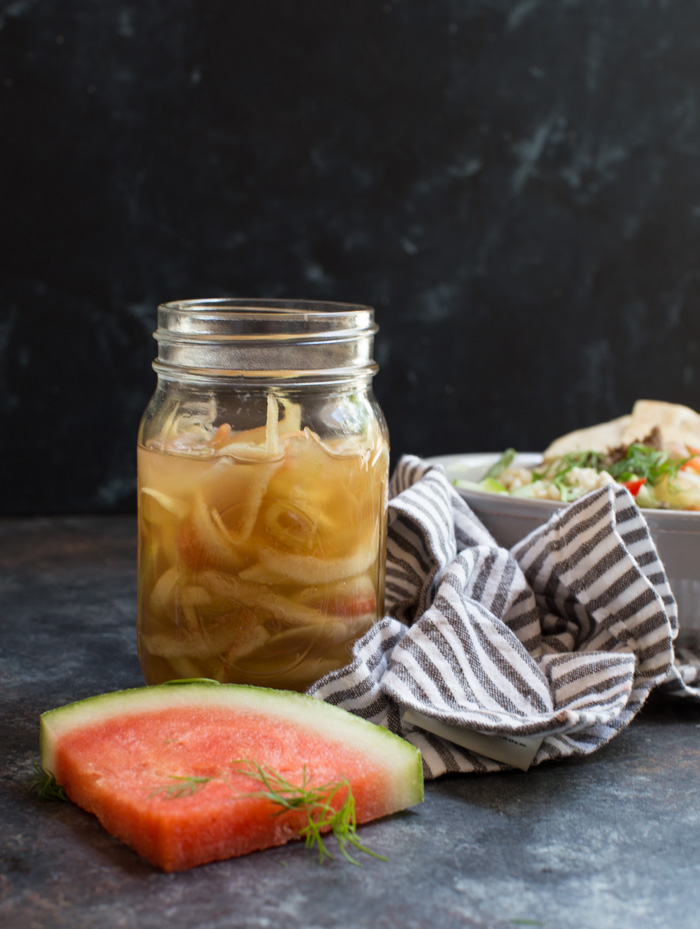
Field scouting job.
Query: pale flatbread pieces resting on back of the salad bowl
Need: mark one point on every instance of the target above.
(676, 424)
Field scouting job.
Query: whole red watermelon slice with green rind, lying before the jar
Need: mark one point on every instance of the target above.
(192, 772)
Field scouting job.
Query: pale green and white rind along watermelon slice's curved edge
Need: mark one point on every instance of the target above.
(328, 721)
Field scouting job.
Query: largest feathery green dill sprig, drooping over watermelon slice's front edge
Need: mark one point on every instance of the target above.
(318, 804)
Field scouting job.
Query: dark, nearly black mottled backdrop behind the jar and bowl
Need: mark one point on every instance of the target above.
(515, 186)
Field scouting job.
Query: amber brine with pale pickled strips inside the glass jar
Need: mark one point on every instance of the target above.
(261, 554)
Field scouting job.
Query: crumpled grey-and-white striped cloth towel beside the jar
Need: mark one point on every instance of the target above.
(489, 659)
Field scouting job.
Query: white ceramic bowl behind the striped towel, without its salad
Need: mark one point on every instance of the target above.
(509, 519)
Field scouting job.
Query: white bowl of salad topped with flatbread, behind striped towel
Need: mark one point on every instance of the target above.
(654, 452)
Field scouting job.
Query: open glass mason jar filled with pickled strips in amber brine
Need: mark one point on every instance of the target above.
(263, 463)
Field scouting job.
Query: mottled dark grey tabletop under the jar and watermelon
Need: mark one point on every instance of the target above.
(608, 841)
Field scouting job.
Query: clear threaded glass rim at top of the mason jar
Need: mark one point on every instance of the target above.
(306, 340)
